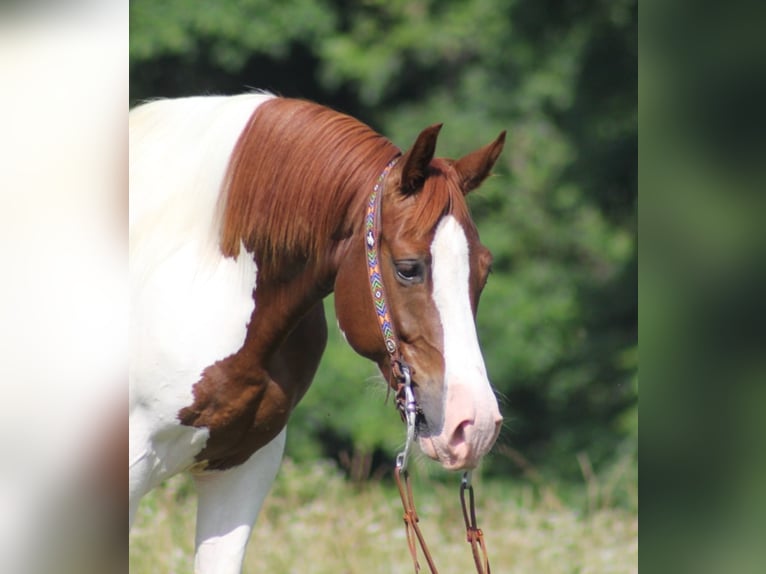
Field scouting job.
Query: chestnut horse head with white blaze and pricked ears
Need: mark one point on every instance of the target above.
(434, 268)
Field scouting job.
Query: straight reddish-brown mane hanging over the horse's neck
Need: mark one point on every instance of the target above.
(298, 175)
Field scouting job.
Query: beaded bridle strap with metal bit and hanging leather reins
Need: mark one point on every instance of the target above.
(401, 381)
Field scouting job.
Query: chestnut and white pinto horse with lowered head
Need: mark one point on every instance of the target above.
(246, 211)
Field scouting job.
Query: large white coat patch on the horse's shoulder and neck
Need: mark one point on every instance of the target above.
(190, 307)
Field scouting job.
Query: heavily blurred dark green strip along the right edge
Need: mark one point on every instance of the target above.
(702, 285)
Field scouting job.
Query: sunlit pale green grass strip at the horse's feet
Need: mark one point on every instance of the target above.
(314, 521)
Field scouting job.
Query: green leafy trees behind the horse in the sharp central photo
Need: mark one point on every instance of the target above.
(558, 320)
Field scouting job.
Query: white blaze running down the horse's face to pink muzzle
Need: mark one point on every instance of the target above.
(471, 415)
